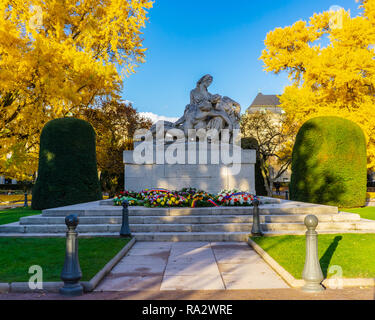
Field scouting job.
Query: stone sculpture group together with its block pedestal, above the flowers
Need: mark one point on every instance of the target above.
(201, 150)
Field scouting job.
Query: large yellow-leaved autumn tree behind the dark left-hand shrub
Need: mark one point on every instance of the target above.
(56, 58)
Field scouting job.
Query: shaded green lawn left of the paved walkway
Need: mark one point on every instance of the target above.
(18, 254)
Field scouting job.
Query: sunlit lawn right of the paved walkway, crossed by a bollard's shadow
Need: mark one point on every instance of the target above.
(355, 253)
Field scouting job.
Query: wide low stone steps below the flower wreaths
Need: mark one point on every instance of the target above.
(101, 218)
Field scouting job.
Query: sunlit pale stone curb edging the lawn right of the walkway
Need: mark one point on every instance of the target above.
(332, 283)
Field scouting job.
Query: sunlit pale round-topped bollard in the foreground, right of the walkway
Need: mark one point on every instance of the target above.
(312, 272)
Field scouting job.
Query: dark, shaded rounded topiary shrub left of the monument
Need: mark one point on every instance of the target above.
(67, 172)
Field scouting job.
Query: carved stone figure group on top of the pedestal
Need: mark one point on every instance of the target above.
(206, 111)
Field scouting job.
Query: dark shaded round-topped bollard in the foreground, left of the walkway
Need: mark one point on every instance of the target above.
(71, 273)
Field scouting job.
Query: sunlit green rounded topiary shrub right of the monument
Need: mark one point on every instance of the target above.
(329, 163)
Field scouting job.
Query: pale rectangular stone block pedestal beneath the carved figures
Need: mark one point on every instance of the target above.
(209, 177)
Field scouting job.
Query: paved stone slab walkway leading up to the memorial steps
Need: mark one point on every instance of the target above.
(165, 266)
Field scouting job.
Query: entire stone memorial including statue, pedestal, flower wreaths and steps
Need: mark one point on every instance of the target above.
(190, 180)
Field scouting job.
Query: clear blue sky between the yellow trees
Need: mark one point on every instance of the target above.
(187, 39)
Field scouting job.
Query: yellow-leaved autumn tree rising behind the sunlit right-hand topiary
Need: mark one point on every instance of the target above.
(330, 61)
